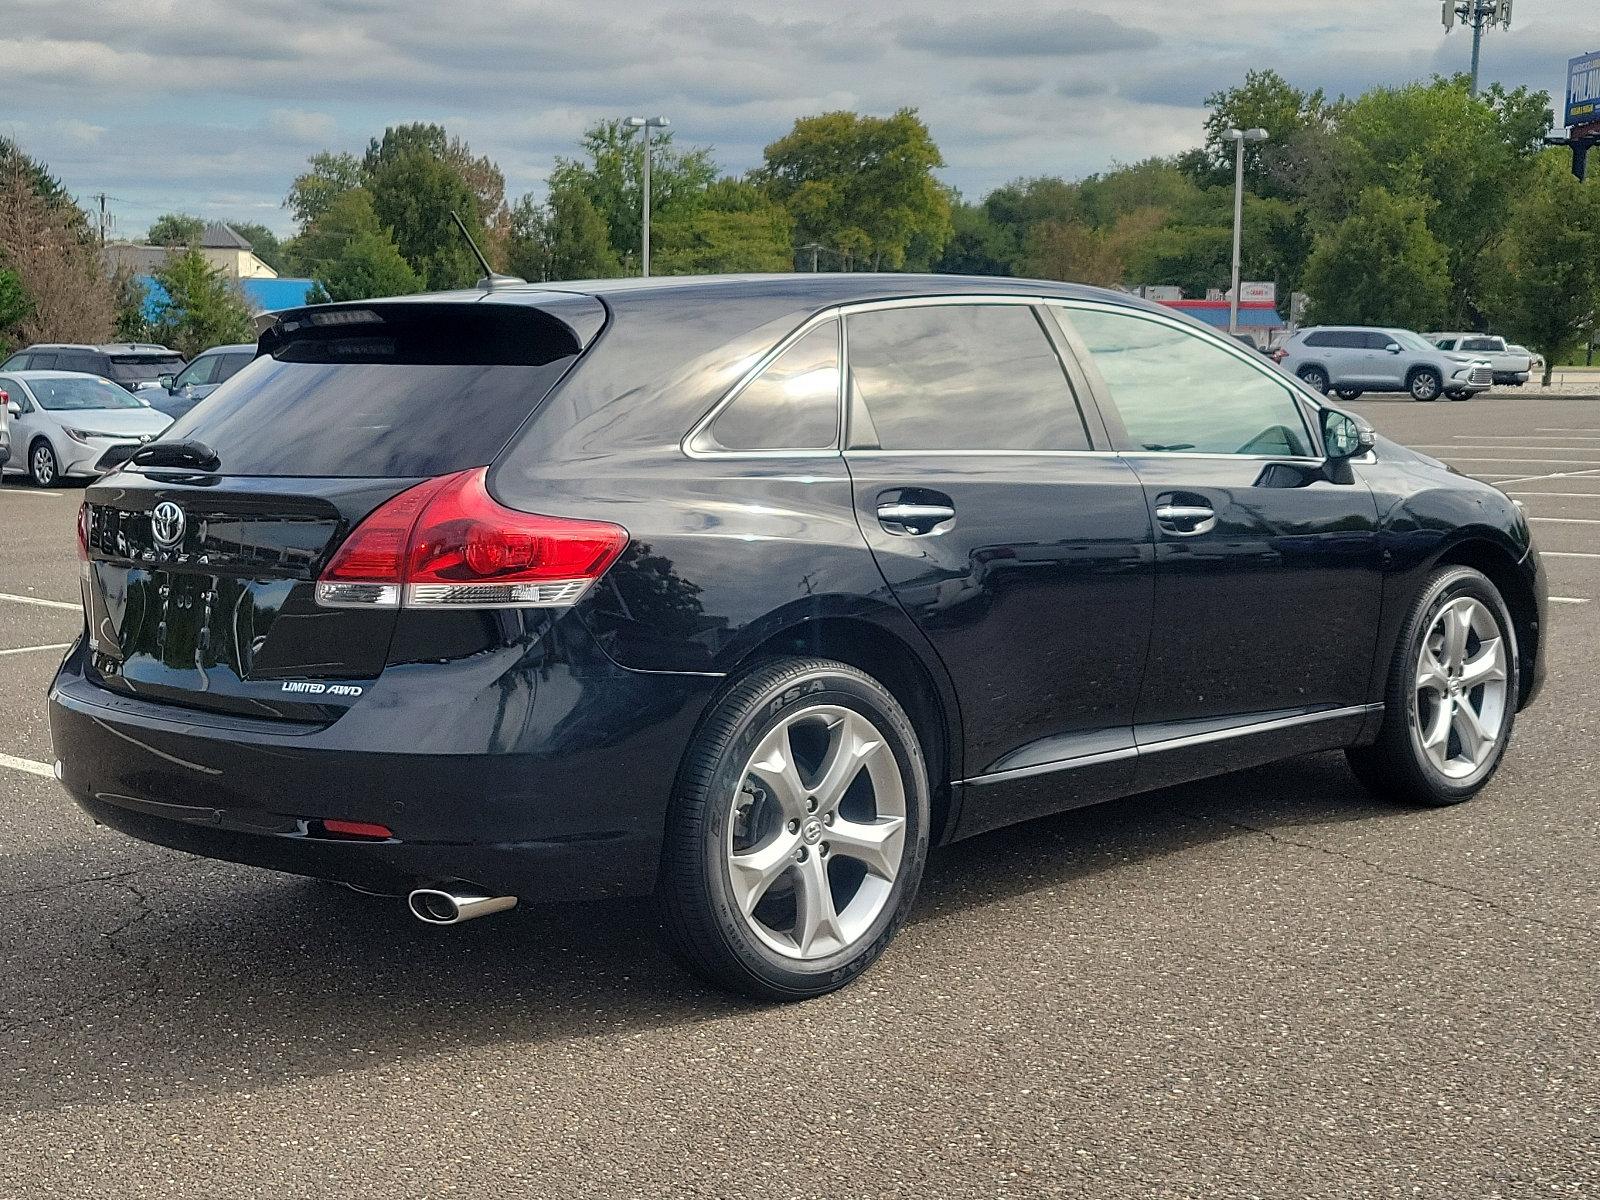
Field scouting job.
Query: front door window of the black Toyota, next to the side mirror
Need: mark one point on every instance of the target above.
(1177, 391)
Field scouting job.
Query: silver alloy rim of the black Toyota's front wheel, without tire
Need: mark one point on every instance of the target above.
(1460, 705)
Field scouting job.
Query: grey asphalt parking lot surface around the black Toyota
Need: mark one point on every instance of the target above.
(1266, 985)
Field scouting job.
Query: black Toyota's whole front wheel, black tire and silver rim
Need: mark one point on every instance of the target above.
(1452, 695)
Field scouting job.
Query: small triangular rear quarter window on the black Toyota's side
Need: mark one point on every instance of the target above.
(793, 404)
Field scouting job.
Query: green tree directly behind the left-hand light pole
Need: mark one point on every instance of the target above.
(612, 177)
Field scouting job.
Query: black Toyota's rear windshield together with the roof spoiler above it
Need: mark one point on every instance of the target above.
(391, 391)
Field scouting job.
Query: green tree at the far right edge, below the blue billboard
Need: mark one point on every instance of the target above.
(1550, 290)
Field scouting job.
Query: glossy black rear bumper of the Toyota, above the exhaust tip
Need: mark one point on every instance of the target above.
(561, 794)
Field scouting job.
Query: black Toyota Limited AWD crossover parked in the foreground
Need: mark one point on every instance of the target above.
(746, 591)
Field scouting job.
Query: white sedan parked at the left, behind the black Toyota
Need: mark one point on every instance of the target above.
(70, 425)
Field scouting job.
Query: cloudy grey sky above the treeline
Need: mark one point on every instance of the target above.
(212, 106)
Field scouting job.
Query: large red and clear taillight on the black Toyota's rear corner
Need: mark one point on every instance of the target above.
(449, 545)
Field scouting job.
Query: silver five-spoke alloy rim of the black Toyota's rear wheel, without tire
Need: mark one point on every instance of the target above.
(818, 833)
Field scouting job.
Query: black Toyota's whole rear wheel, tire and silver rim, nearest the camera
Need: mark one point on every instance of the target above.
(798, 833)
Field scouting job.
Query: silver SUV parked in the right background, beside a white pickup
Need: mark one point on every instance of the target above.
(1354, 359)
